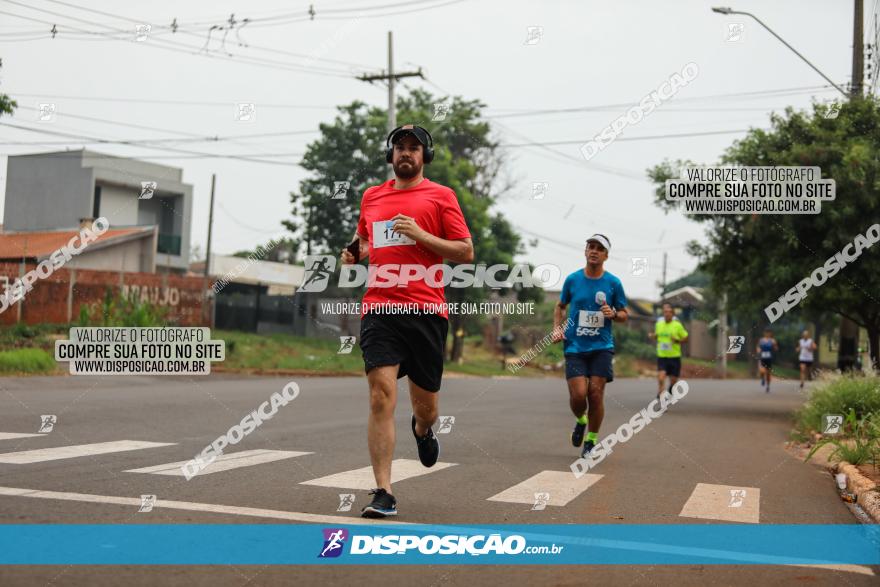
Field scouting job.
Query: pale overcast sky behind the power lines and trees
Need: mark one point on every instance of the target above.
(590, 54)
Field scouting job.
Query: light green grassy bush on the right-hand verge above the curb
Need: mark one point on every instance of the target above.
(838, 394)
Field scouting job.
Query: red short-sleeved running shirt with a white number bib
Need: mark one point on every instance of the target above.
(435, 209)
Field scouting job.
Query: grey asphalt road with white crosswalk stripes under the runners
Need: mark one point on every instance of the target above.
(716, 456)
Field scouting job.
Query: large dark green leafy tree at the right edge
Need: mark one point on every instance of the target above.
(757, 258)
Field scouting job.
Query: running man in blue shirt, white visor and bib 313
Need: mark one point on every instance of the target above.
(597, 299)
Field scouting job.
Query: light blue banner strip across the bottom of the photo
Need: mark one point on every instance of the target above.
(257, 544)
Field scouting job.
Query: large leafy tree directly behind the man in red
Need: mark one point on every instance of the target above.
(351, 149)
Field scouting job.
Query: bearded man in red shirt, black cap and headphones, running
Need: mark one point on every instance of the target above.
(406, 224)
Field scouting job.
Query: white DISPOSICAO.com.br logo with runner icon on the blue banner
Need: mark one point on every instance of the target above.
(431, 544)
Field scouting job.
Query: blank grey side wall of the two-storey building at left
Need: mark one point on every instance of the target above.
(47, 191)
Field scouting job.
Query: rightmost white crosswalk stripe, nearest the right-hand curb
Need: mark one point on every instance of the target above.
(723, 502)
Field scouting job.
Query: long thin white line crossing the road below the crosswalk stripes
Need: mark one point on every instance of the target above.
(196, 507)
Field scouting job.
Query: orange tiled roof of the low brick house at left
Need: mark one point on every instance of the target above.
(39, 244)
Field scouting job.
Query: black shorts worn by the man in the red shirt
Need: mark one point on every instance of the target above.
(414, 341)
